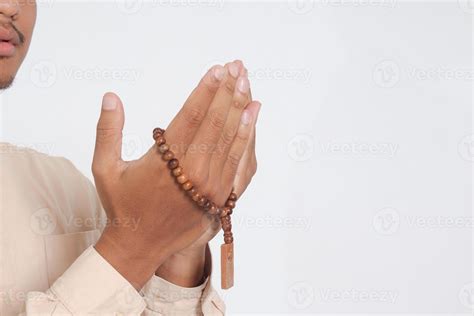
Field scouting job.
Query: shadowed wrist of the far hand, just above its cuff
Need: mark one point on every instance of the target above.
(186, 268)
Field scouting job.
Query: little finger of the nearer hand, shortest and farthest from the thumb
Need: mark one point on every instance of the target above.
(237, 151)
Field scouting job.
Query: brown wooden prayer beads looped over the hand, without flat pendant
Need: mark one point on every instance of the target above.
(185, 183)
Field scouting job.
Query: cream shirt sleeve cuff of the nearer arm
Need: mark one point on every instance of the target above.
(90, 286)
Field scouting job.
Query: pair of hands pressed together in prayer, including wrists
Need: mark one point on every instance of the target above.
(213, 137)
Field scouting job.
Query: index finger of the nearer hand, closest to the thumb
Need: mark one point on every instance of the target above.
(186, 123)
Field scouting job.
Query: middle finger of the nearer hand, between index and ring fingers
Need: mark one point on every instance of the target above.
(208, 134)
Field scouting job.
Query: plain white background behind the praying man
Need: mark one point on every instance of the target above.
(362, 202)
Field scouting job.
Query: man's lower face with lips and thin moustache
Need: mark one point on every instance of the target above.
(17, 20)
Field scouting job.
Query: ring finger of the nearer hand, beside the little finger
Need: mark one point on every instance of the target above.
(240, 101)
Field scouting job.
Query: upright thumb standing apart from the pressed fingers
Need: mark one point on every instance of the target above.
(108, 146)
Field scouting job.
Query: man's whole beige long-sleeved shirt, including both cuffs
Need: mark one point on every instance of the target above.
(50, 216)
